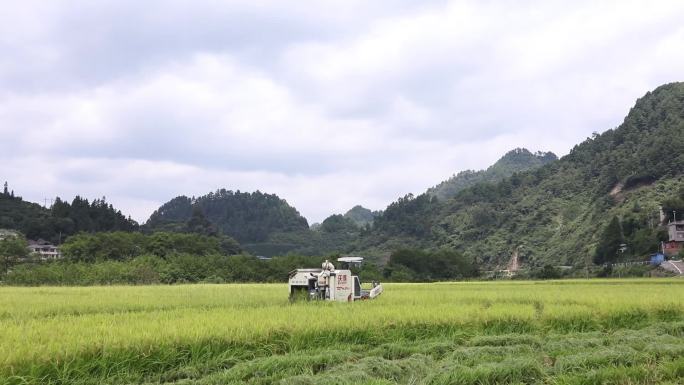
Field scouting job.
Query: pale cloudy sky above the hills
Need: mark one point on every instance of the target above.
(326, 103)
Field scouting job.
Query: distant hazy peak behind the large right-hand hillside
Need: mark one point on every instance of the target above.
(514, 161)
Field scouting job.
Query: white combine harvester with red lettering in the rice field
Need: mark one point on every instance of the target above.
(329, 284)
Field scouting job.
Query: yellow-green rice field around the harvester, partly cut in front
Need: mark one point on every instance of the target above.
(558, 332)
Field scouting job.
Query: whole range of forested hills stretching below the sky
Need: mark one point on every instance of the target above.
(598, 204)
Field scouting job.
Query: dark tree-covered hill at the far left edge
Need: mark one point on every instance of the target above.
(62, 218)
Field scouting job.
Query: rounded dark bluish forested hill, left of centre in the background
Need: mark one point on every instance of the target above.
(247, 217)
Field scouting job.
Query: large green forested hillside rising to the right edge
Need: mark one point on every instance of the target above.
(560, 212)
